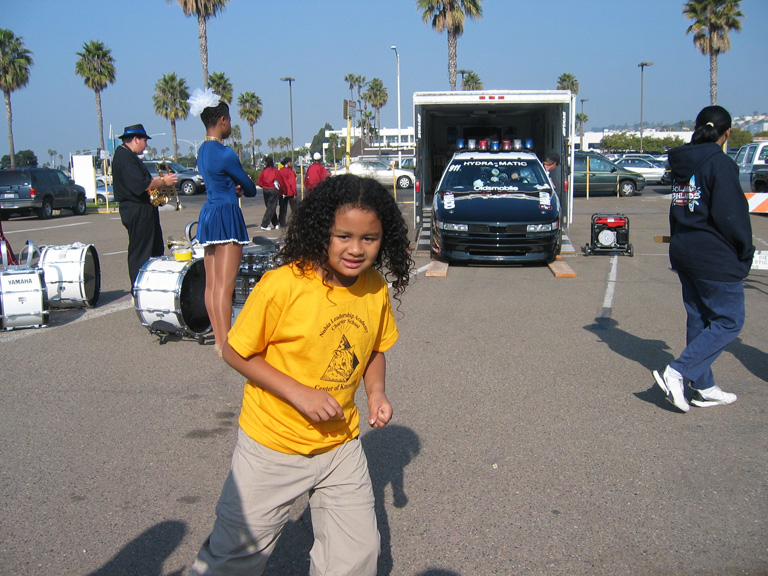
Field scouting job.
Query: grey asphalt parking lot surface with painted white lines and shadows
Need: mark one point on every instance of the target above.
(528, 438)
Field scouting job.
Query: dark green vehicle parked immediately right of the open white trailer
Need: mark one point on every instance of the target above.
(605, 177)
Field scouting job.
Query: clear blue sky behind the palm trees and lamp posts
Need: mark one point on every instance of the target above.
(516, 45)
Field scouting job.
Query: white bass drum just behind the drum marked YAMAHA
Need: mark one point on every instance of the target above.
(72, 275)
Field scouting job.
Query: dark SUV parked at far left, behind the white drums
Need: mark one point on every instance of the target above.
(39, 190)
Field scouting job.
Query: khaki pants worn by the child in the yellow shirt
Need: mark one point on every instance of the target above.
(256, 499)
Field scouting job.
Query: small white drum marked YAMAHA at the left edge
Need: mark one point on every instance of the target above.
(23, 301)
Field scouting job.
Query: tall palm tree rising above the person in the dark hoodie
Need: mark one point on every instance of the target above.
(712, 20)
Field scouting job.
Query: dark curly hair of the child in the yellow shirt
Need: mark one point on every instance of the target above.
(309, 233)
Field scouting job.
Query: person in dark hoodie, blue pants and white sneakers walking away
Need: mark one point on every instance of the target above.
(711, 250)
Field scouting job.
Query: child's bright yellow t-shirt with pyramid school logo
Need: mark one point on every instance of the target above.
(321, 336)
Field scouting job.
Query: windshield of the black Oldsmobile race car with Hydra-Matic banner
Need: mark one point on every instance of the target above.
(500, 175)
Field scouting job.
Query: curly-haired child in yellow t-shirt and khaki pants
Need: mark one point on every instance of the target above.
(309, 333)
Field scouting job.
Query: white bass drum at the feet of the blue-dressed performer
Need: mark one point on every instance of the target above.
(170, 296)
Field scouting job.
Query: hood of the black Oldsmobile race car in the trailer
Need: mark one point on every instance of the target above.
(497, 208)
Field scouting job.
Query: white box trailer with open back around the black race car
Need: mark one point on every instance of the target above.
(545, 117)
